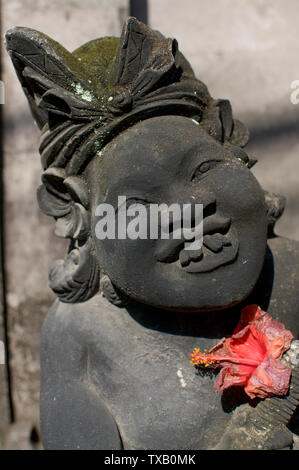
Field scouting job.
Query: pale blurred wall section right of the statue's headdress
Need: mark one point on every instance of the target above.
(248, 53)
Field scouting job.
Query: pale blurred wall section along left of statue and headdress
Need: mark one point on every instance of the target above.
(30, 243)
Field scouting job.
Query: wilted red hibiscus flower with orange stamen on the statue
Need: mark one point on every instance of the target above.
(251, 356)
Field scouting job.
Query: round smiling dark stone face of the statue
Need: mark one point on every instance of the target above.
(173, 160)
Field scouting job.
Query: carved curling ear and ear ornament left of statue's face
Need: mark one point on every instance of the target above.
(76, 278)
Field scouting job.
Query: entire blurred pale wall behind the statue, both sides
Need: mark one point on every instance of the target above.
(244, 51)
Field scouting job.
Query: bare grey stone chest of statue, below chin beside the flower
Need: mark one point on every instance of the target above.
(153, 392)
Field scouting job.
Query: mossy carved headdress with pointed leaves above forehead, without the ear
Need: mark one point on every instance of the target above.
(83, 99)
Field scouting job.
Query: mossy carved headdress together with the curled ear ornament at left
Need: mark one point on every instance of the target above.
(81, 100)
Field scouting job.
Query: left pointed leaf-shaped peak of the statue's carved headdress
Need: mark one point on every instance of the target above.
(54, 82)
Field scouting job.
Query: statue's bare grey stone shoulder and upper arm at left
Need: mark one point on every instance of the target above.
(73, 414)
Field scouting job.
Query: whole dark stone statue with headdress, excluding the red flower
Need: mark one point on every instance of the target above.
(128, 117)
